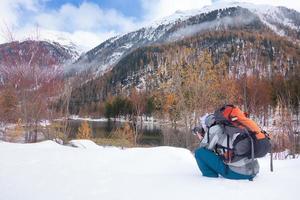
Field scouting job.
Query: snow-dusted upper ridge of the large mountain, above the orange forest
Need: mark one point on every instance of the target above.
(281, 20)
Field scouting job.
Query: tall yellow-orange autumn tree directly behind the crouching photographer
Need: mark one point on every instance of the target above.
(193, 85)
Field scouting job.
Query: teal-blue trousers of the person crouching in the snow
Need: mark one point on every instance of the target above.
(211, 165)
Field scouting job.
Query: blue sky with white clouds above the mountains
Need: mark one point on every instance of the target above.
(89, 22)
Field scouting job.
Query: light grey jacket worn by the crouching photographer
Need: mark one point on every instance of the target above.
(241, 165)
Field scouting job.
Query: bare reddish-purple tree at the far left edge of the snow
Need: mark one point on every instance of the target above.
(36, 80)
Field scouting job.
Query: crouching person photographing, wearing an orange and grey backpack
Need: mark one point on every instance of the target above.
(228, 149)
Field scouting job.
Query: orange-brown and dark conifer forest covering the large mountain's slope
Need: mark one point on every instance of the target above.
(262, 66)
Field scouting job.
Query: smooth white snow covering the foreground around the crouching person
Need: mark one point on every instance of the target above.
(51, 171)
